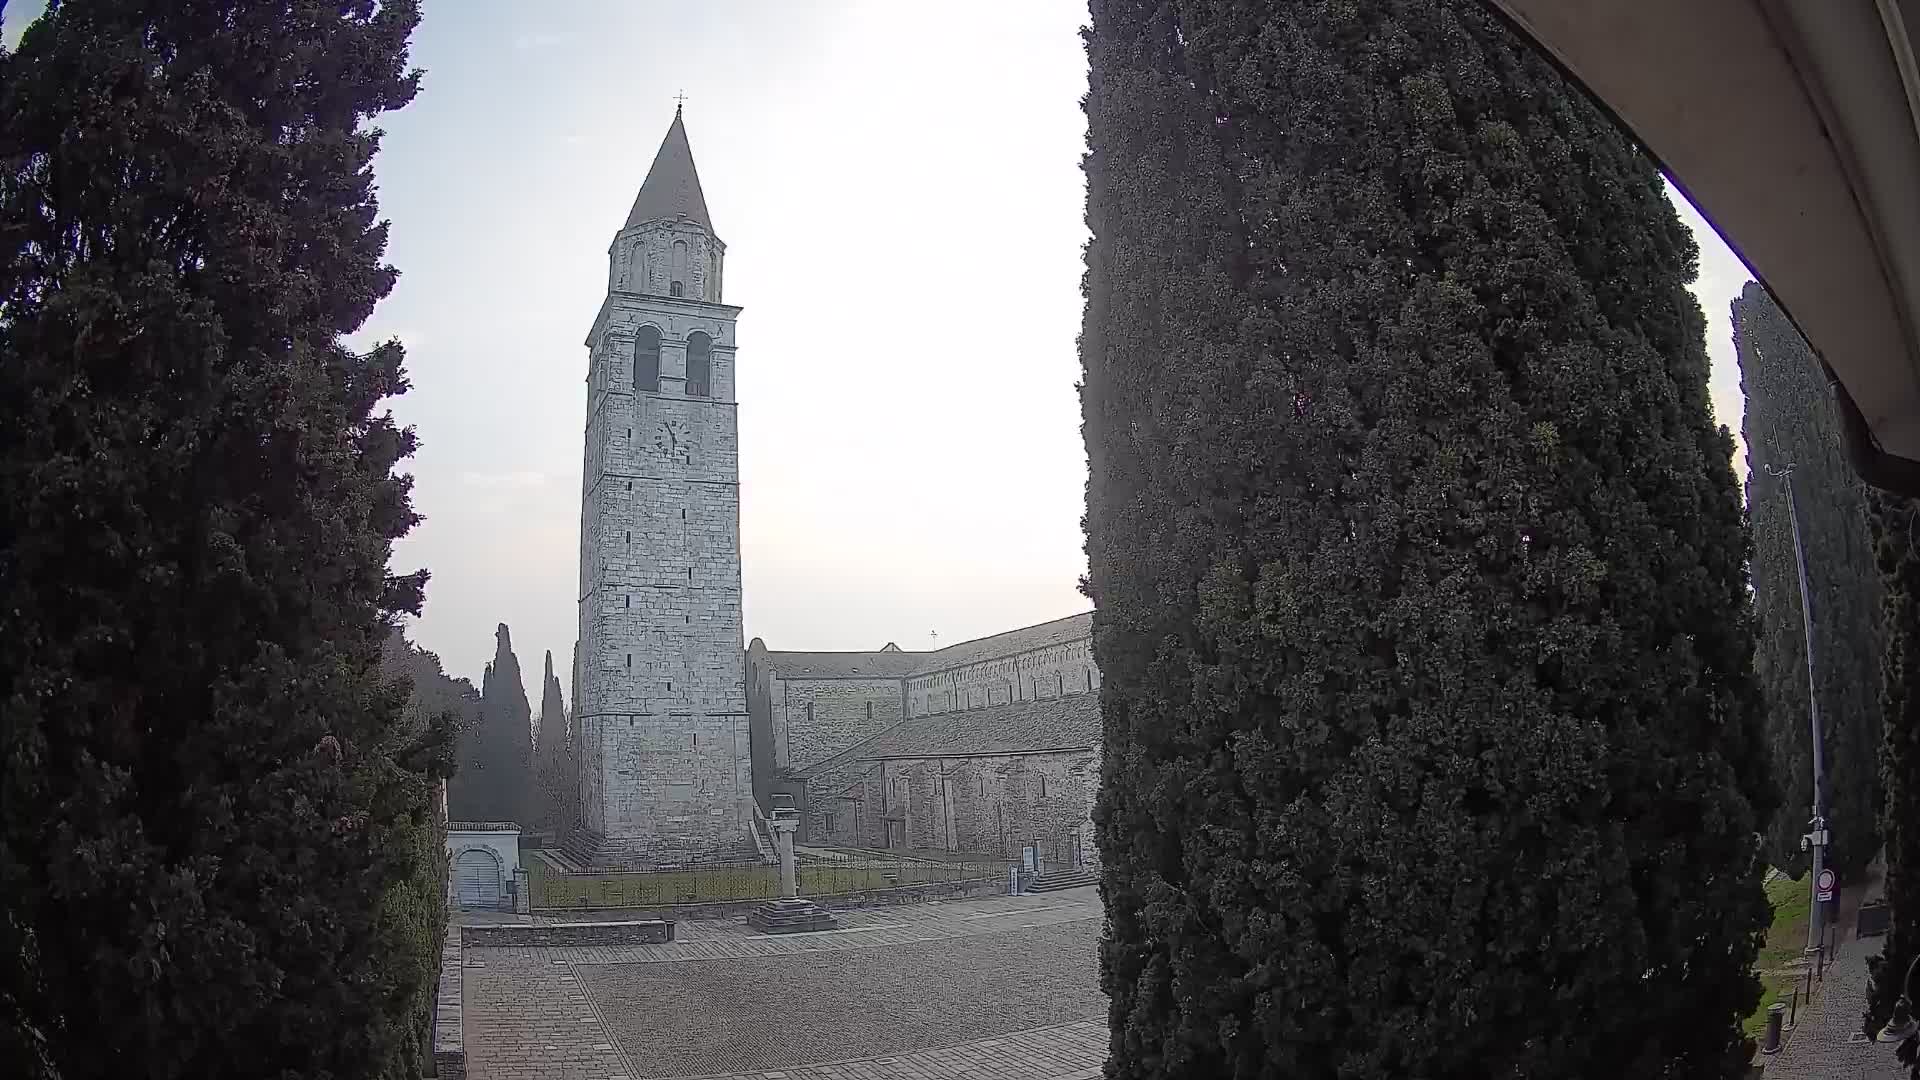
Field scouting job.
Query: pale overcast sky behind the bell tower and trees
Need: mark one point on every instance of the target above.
(901, 199)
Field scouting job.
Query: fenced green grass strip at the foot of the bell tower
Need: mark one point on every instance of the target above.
(658, 889)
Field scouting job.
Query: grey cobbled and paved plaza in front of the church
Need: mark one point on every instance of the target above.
(1001, 989)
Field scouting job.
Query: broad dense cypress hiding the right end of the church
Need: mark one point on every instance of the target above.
(1433, 745)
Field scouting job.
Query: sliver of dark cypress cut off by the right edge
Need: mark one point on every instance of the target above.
(1898, 551)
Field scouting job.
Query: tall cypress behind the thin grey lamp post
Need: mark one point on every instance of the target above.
(1790, 420)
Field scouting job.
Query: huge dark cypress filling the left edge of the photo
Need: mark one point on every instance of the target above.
(210, 793)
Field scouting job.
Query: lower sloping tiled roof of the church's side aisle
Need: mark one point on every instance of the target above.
(1022, 727)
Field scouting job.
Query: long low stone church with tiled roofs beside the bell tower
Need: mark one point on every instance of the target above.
(982, 749)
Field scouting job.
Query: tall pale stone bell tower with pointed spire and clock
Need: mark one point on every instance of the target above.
(661, 710)
